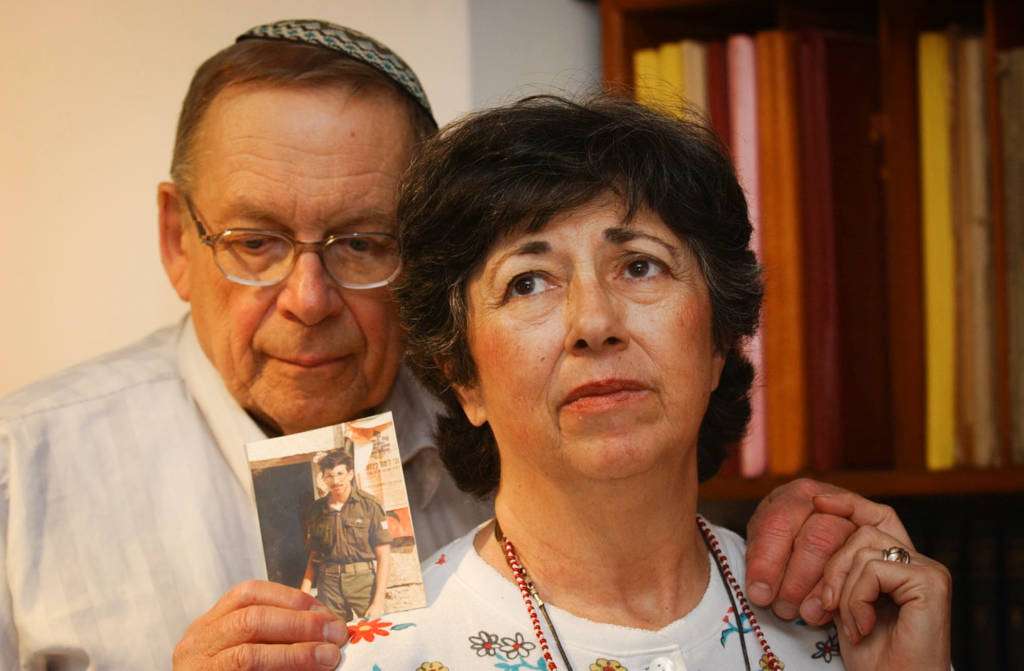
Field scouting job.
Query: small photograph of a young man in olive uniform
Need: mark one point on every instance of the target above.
(335, 519)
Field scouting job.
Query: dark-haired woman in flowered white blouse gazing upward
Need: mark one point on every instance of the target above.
(578, 282)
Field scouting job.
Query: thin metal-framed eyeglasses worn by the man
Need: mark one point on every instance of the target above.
(263, 259)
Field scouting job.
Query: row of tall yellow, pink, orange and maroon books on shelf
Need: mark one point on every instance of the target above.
(800, 114)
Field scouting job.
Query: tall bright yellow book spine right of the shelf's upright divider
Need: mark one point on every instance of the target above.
(938, 249)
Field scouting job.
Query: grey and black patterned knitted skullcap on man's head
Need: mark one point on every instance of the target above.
(351, 43)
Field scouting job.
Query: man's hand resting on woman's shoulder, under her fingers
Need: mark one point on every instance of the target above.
(790, 541)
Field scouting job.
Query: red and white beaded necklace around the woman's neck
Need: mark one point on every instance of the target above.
(529, 593)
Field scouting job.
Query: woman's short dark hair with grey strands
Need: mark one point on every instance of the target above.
(510, 171)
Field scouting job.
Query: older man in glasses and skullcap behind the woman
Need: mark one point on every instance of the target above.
(126, 506)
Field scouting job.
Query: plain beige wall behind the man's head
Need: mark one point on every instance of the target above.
(92, 94)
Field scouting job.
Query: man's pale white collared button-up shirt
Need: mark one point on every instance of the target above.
(126, 509)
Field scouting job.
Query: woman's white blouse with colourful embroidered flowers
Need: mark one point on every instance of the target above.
(477, 619)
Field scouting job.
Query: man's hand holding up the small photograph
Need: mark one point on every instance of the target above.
(261, 625)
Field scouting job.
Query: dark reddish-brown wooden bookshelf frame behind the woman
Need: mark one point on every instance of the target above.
(629, 25)
